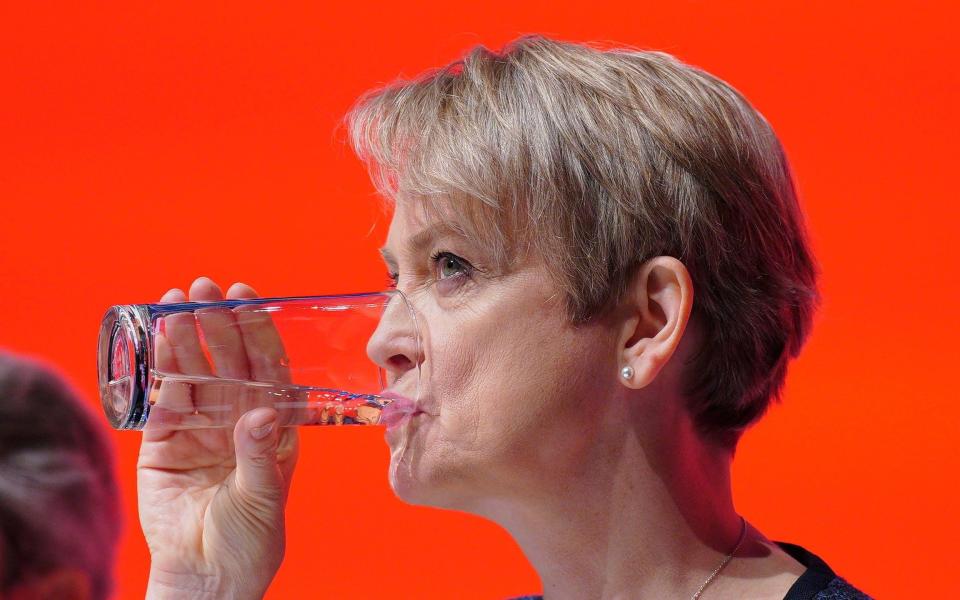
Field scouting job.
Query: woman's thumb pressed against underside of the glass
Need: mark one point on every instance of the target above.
(255, 438)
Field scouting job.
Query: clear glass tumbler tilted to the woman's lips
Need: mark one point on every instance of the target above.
(193, 365)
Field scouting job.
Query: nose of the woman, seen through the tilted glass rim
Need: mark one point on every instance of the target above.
(395, 344)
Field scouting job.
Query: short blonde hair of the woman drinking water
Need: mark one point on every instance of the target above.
(599, 160)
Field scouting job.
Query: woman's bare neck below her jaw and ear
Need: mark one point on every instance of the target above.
(633, 519)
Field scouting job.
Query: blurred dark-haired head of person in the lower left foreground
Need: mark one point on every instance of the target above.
(59, 509)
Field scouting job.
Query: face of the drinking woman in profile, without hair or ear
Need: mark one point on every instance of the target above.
(508, 386)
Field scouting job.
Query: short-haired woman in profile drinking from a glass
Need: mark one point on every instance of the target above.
(608, 254)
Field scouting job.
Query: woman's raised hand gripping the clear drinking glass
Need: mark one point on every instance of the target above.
(212, 500)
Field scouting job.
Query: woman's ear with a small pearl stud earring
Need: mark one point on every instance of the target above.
(658, 304)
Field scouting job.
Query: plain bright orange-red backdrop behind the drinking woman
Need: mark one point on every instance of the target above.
(142, 145)
